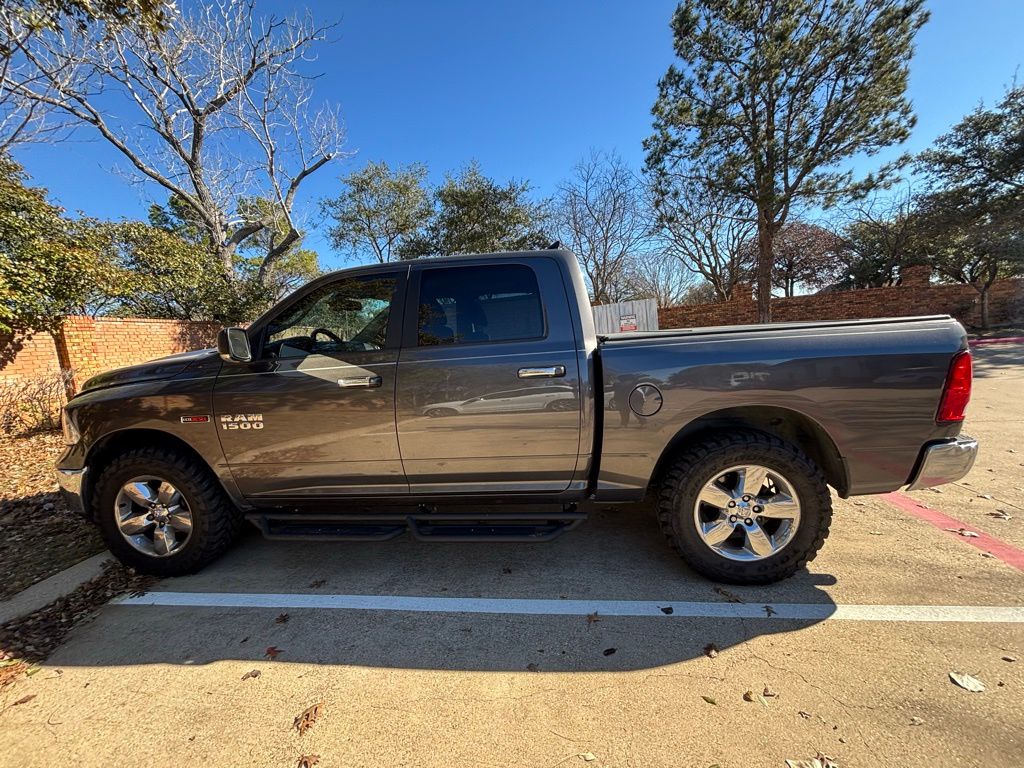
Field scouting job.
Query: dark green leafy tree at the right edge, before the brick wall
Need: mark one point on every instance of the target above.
(973, 214)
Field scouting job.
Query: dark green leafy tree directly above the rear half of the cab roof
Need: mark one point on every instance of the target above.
(476, 215)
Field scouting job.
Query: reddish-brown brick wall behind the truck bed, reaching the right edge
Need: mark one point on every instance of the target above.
(915, 296)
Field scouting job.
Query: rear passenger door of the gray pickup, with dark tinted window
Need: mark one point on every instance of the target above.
(489, 386)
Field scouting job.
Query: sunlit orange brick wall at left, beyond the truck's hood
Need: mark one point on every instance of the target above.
(89, 346)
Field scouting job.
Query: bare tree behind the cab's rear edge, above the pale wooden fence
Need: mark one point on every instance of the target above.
(602, 214)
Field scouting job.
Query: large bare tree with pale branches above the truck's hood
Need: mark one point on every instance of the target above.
(215, 107)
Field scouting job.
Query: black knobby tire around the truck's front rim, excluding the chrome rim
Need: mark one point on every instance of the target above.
(217, 522)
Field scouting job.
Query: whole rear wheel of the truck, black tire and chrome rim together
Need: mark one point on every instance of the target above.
(745, 508)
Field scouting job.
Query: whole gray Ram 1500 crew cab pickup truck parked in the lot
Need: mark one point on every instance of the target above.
(470, 399)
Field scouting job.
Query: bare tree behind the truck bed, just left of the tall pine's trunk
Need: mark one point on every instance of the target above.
(708, 232)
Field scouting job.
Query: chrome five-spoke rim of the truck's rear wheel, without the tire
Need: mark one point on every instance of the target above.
(747, 514)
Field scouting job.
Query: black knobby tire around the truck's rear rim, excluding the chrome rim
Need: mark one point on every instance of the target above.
(682, 483)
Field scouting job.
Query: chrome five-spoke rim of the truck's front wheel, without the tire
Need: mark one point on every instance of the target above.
(153, 517)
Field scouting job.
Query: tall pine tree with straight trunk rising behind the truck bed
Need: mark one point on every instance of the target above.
(772, 98)
